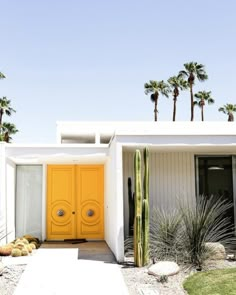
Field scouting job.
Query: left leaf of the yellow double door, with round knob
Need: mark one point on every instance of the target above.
(61, 223)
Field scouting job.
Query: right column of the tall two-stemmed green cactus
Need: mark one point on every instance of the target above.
(145, 216)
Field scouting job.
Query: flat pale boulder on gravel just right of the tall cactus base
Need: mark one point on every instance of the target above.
(164, 268)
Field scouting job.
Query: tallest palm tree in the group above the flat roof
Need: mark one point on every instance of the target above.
(191, 71)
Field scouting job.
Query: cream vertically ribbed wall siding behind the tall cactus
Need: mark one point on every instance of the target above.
(172, 178)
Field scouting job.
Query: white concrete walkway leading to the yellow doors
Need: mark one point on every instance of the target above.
(59, 271)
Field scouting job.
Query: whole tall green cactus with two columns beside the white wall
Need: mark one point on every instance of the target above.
(141, 218)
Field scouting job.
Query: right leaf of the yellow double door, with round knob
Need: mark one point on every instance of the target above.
(90, 191)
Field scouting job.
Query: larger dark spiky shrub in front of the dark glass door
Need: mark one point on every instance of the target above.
(205, 222)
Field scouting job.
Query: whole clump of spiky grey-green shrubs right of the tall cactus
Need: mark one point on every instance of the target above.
(182, 235)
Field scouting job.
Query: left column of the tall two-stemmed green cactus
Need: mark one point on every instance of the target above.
(138, 211)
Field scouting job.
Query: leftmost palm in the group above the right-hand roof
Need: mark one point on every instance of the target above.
(156, 88)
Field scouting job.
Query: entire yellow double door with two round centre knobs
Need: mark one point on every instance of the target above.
(75, 201)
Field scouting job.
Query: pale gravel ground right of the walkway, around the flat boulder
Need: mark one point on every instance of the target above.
(140, 282)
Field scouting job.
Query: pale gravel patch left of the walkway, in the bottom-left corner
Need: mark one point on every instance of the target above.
(10, 278)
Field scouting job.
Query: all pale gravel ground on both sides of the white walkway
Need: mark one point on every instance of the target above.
(138, 280)
